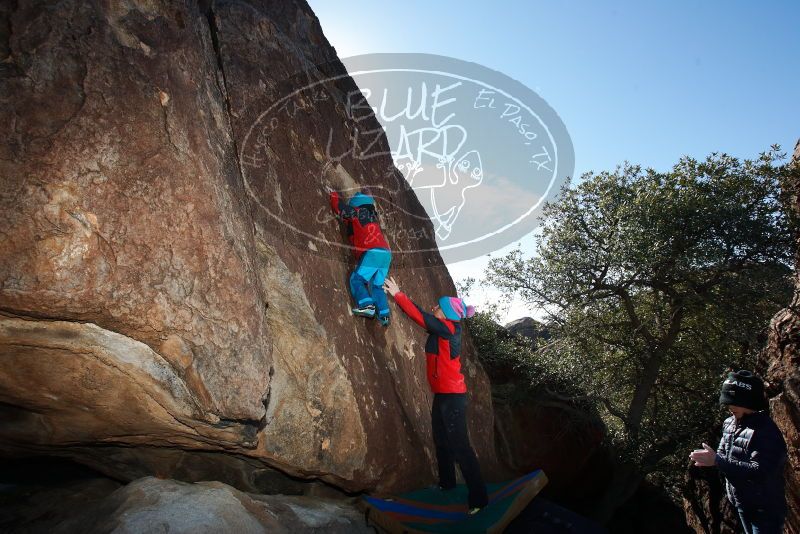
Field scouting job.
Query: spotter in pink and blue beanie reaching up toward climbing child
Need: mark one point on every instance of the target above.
(449, 411)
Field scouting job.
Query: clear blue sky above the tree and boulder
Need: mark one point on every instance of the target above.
(639, 81)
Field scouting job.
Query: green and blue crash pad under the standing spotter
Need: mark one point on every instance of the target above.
(434, 510)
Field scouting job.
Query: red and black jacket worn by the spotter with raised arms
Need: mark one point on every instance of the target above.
(442, 349)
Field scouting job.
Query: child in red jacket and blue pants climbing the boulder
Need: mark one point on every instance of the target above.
(373, 256)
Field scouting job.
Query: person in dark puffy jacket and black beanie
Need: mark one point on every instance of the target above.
(751, 455)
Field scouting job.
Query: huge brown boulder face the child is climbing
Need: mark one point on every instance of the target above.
(170, 291)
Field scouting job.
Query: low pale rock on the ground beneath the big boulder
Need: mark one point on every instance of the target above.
(154, 505)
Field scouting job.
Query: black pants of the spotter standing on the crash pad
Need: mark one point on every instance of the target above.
(449, 421)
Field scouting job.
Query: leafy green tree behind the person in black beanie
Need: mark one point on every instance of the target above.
(654, 284)
